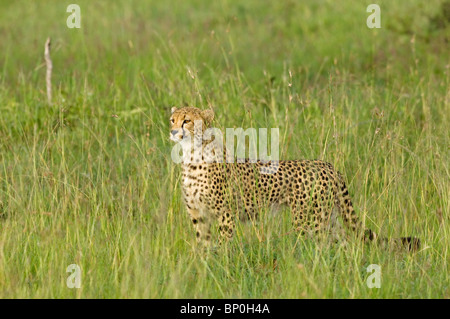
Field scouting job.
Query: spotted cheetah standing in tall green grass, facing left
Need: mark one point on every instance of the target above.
(217, 189)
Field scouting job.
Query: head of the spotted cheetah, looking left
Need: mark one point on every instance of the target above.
(183, 119)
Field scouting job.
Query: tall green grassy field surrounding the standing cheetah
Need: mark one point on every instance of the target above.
(90, 181)
